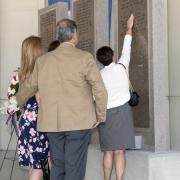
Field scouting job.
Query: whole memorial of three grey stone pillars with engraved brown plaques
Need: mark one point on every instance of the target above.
(148, 60)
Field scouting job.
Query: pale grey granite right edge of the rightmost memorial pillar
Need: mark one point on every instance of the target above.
(160, 85)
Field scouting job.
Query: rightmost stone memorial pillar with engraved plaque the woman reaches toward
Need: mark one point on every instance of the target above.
(156, 132)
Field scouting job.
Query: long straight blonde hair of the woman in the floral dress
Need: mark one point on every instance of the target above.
(30, 51)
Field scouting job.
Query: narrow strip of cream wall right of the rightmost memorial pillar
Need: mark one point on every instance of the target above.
(174, 73)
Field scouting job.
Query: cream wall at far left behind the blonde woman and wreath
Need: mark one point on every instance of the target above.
(18, 20)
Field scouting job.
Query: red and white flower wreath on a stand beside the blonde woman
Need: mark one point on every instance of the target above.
(11, 106)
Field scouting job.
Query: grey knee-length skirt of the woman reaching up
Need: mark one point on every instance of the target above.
(117, 133)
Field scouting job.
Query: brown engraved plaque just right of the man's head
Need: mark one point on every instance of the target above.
(83, 14)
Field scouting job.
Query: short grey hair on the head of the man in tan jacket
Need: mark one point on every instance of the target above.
(66, 28)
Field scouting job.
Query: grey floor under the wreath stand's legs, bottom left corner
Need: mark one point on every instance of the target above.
(5, 173)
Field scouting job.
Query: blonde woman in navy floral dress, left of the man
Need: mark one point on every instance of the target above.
(33, 146)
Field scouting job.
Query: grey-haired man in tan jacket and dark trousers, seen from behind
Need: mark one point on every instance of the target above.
(73, 100)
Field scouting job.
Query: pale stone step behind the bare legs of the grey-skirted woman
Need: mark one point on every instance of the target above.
(136, 167)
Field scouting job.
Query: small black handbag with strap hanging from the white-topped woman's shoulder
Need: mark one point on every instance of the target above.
(134, 97)
